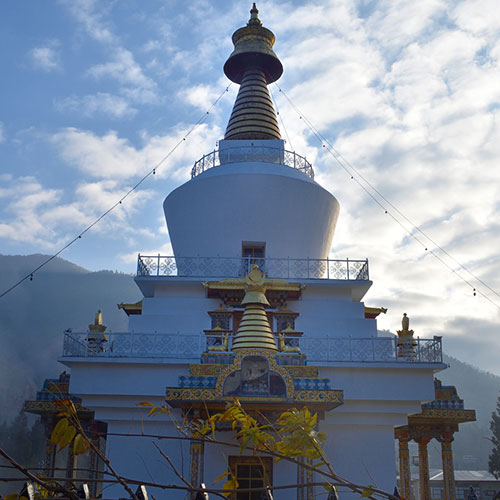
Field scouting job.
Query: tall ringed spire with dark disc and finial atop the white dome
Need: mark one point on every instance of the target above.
(254, 65)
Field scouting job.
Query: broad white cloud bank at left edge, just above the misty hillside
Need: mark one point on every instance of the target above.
(47, 219)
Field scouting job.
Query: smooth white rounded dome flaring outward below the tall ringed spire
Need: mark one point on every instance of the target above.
(212, 214)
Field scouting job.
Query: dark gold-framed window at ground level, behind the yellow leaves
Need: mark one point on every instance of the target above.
(251, 472)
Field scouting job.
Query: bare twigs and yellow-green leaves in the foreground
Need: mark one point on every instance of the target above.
(291, 437)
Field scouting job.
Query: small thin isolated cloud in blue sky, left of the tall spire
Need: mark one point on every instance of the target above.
(101, 103)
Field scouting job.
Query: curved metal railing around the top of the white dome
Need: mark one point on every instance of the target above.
(252, 153)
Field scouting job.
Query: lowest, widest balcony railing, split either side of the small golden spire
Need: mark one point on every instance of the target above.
(189, 347)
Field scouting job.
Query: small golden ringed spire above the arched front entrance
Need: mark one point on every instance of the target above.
(254, 330)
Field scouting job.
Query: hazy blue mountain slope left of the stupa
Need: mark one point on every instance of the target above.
(35, 314)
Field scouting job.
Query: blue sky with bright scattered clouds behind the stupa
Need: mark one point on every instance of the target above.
(95, 94)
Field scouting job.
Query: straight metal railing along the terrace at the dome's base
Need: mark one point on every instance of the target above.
(233, 267)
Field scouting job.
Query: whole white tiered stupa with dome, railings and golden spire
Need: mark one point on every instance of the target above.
(250, 305)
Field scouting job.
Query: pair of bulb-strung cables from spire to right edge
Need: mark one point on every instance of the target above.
(354, 173)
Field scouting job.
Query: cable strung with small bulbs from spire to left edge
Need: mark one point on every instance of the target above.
(152, 171)
